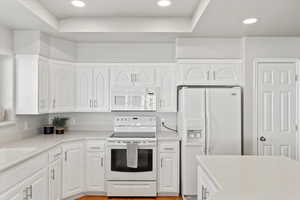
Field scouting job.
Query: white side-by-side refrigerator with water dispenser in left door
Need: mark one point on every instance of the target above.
(210, 123)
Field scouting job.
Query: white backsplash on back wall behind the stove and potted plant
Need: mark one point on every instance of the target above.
(104, 121)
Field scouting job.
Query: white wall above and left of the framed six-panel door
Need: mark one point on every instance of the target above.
(262, 48)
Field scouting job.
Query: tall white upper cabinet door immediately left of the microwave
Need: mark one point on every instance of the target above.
(101, 89)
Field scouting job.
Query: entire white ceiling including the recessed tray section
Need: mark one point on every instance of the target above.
(143, 21)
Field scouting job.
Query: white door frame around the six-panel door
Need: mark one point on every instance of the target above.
(256, 63)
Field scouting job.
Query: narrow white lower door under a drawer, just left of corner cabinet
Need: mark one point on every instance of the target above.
(55, 180)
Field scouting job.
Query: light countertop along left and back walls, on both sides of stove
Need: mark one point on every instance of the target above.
(42, 143)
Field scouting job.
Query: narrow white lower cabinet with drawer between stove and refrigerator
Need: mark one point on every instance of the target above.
(168, 181)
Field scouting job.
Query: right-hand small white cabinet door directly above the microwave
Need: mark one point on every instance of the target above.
(144, 76)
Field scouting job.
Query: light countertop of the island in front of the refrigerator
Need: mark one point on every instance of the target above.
(253, 177)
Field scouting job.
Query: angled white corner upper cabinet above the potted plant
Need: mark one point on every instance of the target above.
(62, 86)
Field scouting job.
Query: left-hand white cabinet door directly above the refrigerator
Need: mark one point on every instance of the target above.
(193, 74)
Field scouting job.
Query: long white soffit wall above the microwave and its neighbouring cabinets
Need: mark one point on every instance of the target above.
(126, 52)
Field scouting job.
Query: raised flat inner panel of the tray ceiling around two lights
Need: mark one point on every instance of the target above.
(120, 8)
